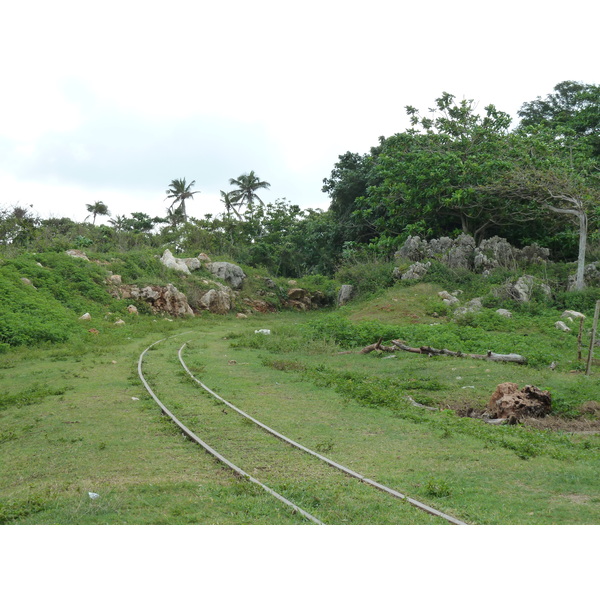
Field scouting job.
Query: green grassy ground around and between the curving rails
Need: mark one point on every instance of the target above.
(75, 419)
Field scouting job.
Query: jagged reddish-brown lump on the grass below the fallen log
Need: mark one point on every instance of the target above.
(508, 401)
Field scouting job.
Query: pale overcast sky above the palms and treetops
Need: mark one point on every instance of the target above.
(109, 101)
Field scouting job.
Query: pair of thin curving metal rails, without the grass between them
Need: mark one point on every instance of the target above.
(281, 438)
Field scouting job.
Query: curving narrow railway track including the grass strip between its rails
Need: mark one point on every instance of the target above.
(297, 476)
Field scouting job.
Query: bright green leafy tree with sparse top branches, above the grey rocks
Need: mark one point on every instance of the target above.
(430, 179)
